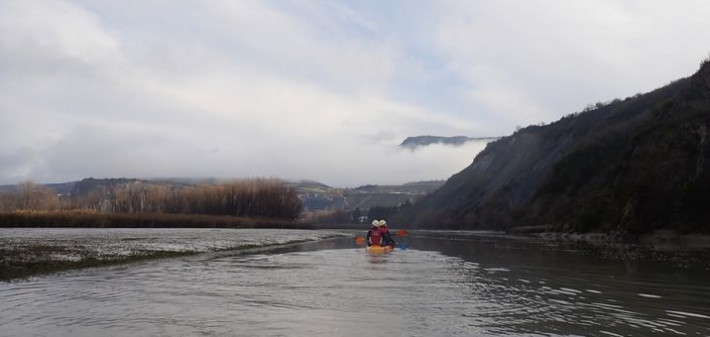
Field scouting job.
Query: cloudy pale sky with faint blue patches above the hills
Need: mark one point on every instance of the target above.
(319, 90)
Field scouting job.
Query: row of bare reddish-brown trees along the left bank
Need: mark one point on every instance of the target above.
(268, 198)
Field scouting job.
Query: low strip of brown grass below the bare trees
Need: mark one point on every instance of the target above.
(82, 219)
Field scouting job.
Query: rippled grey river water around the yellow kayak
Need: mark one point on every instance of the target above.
(456, 283)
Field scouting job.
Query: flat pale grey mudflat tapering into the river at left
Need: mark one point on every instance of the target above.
(26, 252)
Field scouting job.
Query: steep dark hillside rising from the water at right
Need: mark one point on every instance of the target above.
(627, 167)
